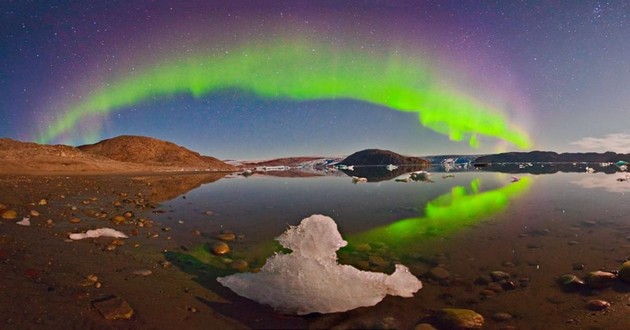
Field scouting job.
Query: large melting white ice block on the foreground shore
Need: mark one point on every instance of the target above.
(310, 280)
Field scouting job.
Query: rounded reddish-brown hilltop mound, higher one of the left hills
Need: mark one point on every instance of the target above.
(153, 152)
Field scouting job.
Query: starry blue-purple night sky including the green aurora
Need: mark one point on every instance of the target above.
(263, 79)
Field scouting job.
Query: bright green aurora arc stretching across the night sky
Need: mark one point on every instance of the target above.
(302, 72)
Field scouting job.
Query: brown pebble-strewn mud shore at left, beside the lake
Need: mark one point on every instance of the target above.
(50, 282)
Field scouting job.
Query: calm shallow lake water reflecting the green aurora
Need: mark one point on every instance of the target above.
(467, 223)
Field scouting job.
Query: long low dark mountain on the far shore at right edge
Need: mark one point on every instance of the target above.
(552, 157)
